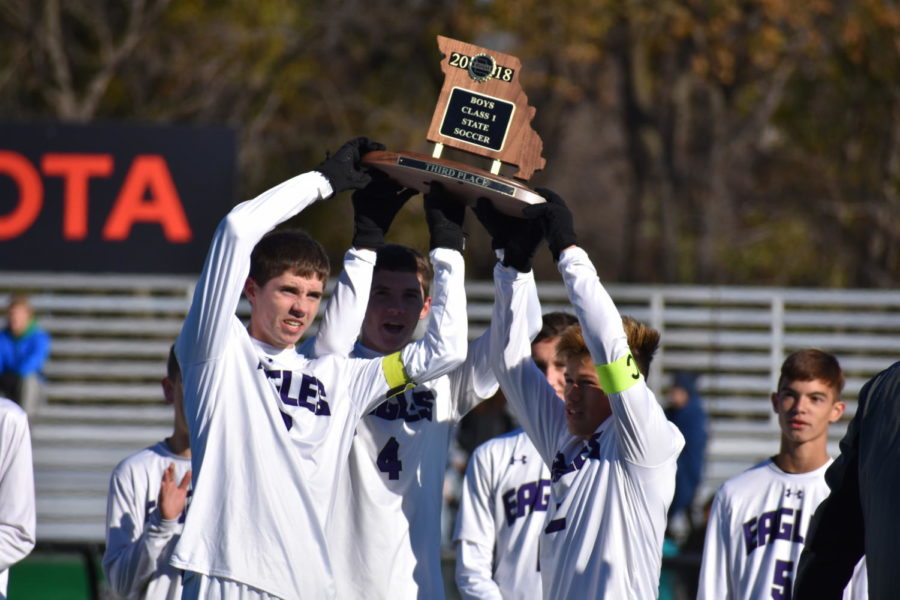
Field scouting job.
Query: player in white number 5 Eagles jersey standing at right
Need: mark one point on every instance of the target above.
(759, 519)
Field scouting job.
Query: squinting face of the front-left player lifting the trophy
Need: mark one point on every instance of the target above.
(283, 308)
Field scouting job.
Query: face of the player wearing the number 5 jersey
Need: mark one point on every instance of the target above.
(805, 409)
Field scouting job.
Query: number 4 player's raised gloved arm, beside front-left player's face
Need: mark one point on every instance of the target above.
(374, 209)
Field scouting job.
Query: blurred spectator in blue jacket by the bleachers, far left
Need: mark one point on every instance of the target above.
(24, 348)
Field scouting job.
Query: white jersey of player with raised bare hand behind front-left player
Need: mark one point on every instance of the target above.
(139, 541)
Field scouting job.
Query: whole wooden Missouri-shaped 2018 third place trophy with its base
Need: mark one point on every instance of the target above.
(481, 110)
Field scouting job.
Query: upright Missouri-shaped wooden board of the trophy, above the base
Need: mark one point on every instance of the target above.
(522, 146)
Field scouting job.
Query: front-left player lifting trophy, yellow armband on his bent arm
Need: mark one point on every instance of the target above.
(271, 429)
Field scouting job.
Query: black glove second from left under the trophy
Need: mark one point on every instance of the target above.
(374, 209)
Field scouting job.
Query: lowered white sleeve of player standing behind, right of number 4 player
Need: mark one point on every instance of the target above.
(476, 531)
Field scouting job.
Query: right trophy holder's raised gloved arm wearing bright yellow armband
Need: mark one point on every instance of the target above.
(645, 435)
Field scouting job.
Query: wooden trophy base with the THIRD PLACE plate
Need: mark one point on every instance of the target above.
(467, 183)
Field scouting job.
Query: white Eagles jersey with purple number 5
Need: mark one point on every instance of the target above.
(757, 527)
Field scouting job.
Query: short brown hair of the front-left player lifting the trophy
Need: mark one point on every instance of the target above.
(288, 250)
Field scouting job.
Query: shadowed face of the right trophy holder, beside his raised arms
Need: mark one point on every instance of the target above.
(587, 406)
